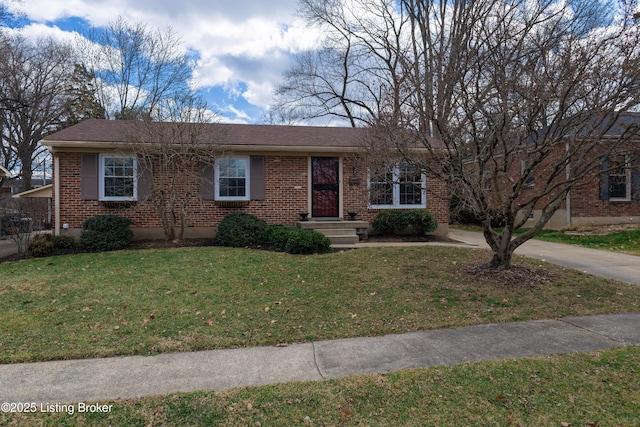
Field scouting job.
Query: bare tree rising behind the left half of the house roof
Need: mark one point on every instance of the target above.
(135, 68)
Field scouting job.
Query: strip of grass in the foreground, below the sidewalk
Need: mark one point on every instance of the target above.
(581, 389)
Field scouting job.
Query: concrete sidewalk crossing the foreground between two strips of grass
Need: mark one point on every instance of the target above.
(137, 376)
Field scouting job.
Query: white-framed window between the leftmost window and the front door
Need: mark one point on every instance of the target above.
(232, 178)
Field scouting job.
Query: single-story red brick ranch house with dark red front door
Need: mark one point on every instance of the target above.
(273, 172)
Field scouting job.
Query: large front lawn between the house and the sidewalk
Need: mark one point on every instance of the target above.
(167, 300)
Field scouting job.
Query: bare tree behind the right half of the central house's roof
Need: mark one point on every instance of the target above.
(355, 72)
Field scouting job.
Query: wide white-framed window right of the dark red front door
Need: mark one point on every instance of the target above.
(399, 186)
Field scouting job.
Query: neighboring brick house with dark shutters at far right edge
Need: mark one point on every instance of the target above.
(612, 193)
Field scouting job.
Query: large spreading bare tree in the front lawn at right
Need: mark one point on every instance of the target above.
(500, 93)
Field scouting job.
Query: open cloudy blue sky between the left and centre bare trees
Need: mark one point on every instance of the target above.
(243, 46)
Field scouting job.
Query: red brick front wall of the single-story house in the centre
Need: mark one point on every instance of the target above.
(286, 195)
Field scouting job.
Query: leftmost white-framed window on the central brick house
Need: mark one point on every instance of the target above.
(118, 177)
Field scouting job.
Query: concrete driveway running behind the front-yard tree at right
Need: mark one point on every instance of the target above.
(593, 261)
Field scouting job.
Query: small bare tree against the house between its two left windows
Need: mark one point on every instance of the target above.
(172, 149)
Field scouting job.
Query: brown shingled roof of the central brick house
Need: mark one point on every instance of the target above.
(96, 133)
